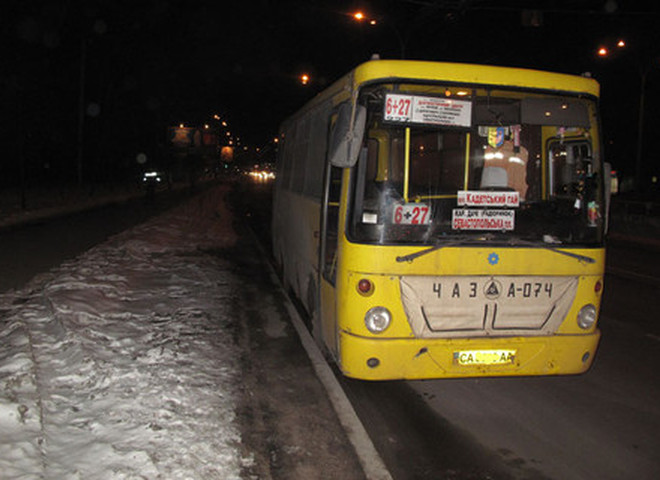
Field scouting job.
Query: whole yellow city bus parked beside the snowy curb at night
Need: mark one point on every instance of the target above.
(446, 220)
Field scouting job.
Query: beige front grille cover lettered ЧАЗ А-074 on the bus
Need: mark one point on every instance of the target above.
(480, 306)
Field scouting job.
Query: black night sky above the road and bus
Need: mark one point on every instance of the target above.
(146, 65)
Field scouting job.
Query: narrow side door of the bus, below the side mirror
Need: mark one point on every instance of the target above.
(328, 258)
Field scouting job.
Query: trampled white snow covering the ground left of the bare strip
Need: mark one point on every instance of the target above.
(120, 364)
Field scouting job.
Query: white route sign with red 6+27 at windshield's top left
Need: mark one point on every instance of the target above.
(428, 110)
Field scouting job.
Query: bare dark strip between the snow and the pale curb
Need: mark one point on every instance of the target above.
(288, 422)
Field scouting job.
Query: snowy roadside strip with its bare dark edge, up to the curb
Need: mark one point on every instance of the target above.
(164, 352)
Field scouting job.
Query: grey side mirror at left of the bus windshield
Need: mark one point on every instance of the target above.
(346, 137)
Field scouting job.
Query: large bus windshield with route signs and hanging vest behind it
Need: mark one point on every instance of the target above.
(467, 164)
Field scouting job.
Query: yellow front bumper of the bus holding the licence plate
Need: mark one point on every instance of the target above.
(392, 359)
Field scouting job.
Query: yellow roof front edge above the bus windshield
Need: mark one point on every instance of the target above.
(472, 74)
